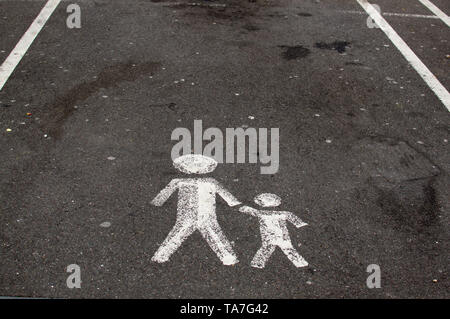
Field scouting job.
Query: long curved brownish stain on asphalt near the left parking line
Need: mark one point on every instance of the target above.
(63, 106)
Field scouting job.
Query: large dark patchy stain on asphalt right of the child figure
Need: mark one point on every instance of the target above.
(401, 182)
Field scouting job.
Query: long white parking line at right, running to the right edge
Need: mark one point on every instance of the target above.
(429, 78)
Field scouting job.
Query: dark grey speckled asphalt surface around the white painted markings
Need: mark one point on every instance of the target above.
(364, 154)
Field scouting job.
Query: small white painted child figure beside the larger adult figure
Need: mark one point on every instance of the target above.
(274, 231)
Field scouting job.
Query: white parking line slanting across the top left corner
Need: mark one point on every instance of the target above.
(7, 68)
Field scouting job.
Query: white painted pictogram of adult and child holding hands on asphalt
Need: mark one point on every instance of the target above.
(196, 210)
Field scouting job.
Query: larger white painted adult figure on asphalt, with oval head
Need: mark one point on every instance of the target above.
(196, 209)
